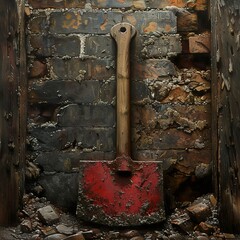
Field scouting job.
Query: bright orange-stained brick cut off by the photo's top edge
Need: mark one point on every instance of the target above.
(197, 5)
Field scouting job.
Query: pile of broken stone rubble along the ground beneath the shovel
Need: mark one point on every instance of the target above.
(40, 220)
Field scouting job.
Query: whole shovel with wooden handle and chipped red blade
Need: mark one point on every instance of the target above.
(121, 192)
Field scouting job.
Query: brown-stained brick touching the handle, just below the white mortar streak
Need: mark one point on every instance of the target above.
(78, 69)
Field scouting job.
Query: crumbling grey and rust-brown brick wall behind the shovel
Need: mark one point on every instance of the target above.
(71, 66)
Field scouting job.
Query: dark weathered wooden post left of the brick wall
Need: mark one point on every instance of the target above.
(11, 174)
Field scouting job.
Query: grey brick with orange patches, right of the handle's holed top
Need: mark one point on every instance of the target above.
(153, 21)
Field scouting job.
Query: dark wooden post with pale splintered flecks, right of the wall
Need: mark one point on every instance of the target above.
(226, 109)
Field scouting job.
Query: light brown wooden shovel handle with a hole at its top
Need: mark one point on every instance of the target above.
(123, 33)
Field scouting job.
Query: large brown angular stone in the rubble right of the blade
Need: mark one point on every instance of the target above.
(199, 212)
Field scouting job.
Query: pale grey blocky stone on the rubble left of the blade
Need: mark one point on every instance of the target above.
(48, 215)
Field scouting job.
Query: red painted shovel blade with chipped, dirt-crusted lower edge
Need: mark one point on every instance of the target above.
(121, 198)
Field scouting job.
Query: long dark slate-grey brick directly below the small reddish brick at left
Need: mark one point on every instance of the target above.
(57, 91)
